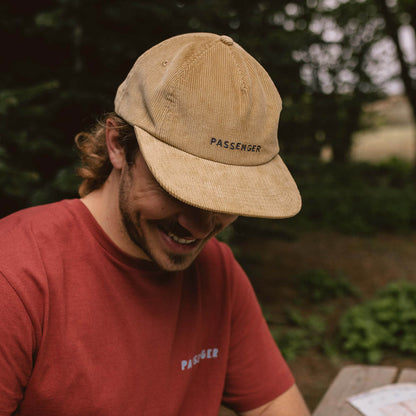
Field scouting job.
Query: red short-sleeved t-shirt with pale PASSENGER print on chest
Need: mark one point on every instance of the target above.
(86, 329)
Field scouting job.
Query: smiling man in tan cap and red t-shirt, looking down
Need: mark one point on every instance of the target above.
(122, 302)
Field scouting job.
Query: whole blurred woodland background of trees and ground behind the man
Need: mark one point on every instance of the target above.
(338, 282)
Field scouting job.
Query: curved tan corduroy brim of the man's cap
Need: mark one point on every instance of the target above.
(266, 190)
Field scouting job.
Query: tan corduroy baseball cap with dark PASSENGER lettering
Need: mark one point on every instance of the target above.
(206, 115)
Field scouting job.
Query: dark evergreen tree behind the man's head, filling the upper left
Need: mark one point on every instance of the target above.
(68, 57)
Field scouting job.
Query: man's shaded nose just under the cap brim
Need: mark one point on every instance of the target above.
(198, 222)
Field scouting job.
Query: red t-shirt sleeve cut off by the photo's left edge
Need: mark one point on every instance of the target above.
(16, 348)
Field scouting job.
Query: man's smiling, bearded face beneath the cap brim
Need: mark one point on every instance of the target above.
(169, 232)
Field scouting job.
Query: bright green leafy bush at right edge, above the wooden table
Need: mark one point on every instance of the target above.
(385, 323)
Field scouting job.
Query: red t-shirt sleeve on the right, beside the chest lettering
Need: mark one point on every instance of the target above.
(257, 372)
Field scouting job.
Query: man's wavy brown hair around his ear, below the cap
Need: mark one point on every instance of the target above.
(95, 161)
